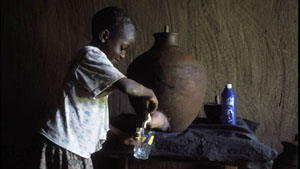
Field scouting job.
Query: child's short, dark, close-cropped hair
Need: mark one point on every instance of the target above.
(111, 18)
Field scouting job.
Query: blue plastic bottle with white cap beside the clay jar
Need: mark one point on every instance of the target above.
(228, 102)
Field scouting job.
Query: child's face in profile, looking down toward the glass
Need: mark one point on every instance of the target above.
(117, 46)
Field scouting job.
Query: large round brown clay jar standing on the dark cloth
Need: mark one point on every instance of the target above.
(176, 77)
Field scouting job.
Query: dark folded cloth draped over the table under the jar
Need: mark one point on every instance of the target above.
(216, 142)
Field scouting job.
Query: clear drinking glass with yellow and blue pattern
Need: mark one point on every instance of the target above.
(143, 143)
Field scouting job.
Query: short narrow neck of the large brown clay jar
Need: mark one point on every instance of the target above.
(165, 39)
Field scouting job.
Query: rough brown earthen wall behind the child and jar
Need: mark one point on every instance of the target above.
(249, 43)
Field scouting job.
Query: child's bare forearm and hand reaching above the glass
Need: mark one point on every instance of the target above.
(133, 88)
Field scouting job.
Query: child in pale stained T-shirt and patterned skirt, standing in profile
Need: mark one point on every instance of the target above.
(79, 125)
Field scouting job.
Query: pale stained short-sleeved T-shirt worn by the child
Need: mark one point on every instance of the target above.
(81, 120)
